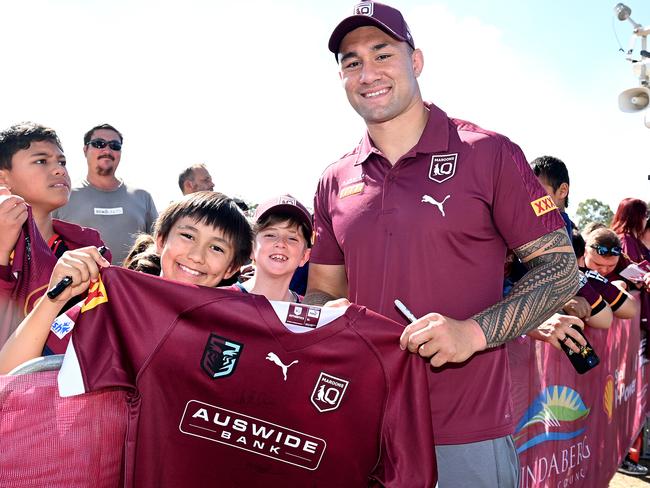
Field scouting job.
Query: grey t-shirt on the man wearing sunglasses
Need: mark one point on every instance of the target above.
(118, 215)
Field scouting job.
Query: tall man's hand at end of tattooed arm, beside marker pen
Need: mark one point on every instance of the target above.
(443, 339)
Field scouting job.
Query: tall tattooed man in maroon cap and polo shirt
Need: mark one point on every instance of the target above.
(423, 210)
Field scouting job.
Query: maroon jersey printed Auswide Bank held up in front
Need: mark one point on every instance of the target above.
(222, 393)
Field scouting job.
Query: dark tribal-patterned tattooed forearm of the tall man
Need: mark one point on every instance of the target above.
(551, 280)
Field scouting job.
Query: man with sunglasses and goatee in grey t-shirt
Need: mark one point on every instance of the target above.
(105, 202)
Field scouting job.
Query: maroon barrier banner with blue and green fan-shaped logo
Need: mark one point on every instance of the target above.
(574, 430)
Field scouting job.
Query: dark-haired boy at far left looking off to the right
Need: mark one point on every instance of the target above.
(34, 182)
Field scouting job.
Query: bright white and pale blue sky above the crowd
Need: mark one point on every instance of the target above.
(250, 88)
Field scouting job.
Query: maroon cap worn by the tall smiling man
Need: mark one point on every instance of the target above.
(386, 18)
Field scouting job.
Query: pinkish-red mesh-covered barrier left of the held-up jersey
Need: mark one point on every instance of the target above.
(54, 442)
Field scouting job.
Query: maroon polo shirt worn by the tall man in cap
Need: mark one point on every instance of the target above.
(433, 231)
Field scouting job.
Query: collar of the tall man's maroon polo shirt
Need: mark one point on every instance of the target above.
(434, 139)
